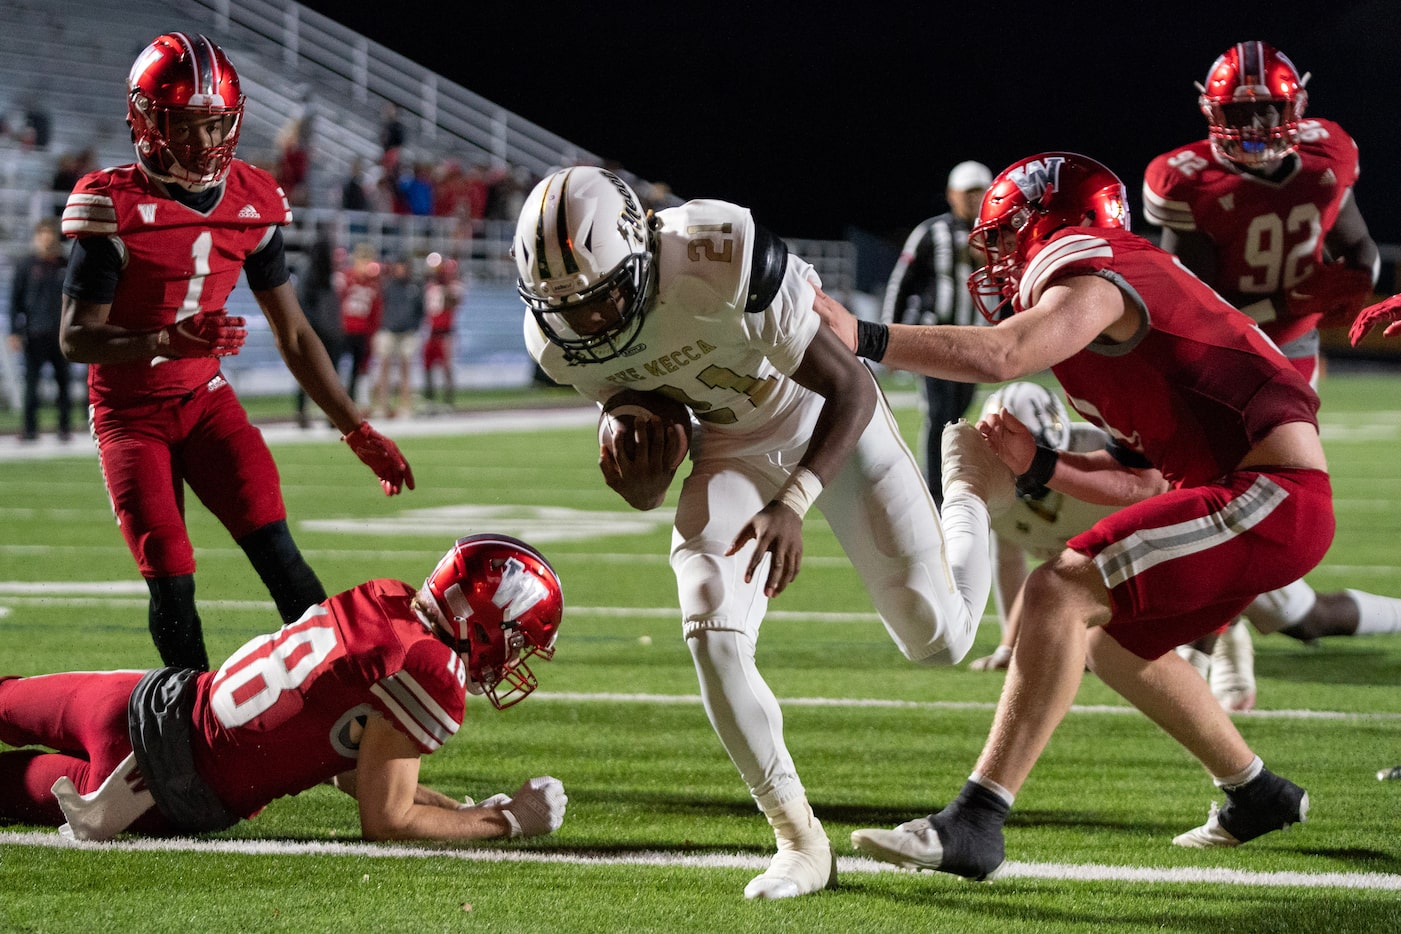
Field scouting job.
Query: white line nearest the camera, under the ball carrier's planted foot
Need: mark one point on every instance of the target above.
(1068, 872)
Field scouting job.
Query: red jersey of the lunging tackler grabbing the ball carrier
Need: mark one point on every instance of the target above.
(1197, 389)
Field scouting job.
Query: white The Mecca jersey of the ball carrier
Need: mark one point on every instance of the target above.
(697, 344)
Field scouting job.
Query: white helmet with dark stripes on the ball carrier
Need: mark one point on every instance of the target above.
(584, 251)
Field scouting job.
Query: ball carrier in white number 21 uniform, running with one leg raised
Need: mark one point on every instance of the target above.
(701, 305)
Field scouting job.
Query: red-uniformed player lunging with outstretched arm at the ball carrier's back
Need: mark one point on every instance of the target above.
(1150, 354)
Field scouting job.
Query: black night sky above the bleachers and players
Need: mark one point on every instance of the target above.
(851, 116)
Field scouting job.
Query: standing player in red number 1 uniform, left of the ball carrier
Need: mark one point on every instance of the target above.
(159, 249)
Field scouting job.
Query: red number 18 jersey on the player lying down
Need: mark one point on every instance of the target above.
(278, 716)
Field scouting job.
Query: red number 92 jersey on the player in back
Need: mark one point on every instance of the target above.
(1269, 235)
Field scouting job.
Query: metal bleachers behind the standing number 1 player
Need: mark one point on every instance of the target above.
(69, 62)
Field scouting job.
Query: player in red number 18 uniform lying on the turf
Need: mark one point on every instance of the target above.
(355, 692)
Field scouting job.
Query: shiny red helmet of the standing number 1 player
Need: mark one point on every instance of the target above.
(186, 110)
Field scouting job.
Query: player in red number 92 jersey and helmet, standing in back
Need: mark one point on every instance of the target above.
(1264, 212)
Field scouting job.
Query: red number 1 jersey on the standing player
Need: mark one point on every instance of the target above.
(177, 263)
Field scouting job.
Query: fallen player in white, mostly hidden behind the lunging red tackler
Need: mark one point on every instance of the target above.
(1042, 520)
